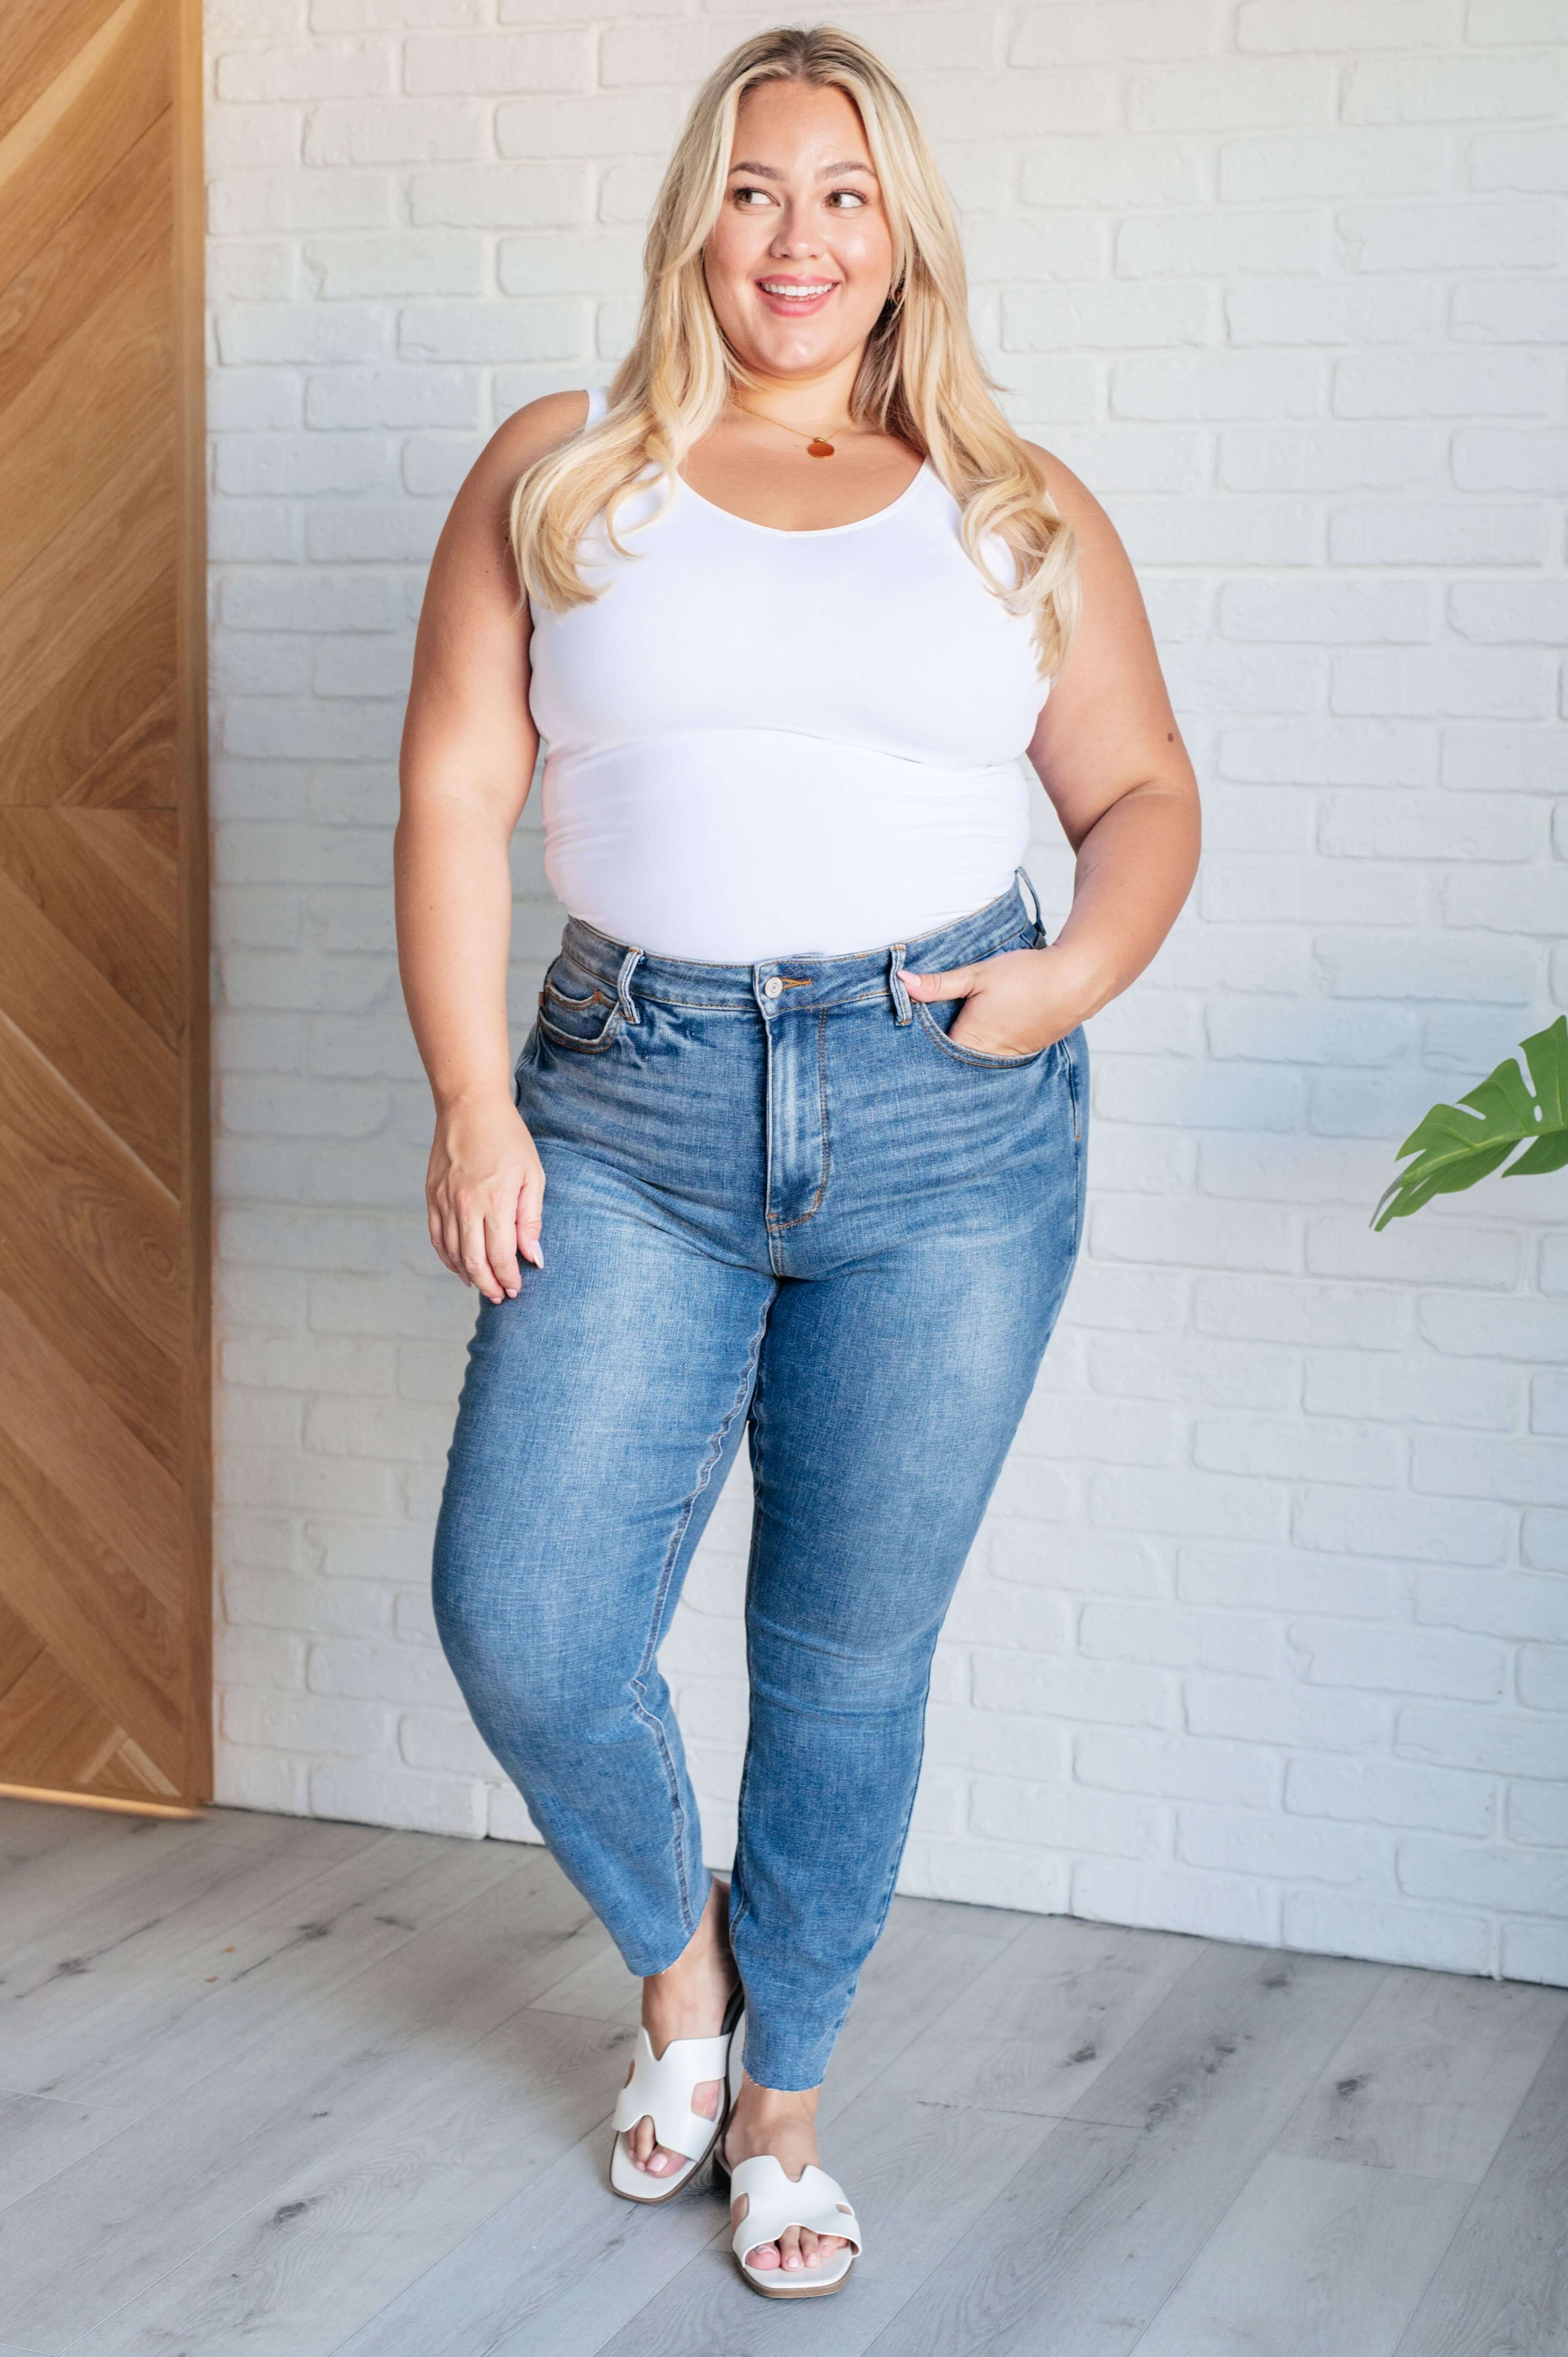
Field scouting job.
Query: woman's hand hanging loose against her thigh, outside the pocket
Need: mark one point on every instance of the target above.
(485, 1194)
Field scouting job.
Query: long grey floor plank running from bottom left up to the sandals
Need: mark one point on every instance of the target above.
(331, 2245)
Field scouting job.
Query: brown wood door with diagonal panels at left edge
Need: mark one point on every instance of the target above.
(105, 1486)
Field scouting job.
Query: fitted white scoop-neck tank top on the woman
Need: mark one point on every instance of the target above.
(767, 744)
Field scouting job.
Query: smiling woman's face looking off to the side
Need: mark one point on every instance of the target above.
(801, 258)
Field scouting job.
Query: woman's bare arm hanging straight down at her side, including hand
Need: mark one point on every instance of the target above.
(466, 767)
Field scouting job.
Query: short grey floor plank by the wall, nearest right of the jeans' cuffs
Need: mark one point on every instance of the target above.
(1046, 2016)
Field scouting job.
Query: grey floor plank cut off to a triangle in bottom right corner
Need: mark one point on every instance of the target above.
(1503, 2283)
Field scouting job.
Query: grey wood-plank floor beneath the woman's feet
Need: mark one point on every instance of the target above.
(298, 2089)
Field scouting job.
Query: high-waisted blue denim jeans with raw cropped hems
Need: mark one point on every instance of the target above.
(782, 1206)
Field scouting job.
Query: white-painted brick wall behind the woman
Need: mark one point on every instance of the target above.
(1265, 1635)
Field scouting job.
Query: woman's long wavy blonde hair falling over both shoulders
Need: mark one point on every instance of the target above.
(921, 376)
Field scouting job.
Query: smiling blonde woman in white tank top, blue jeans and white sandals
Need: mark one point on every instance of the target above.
(808, 1083)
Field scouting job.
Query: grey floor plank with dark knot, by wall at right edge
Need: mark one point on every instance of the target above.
(1430, 2078)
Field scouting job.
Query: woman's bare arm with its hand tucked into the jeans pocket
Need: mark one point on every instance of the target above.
(1109, 755)
